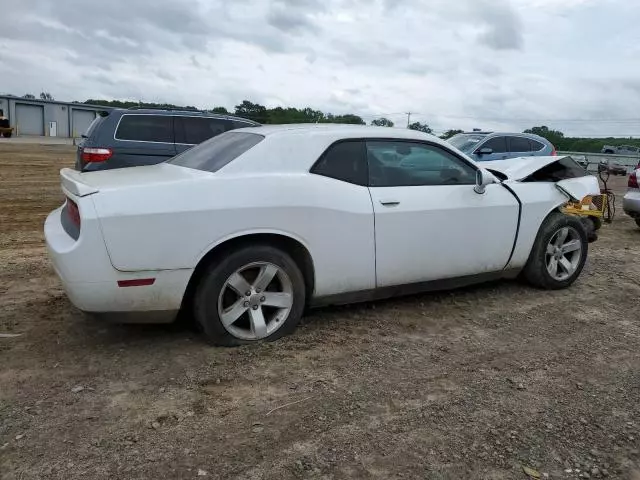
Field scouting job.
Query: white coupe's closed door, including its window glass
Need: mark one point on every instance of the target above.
(430, 224)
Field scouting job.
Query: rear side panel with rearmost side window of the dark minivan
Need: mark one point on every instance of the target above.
(143, 139)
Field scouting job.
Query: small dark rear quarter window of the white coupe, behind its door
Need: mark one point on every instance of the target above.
(344, 161)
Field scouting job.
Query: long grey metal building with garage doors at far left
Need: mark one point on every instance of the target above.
(48, 118)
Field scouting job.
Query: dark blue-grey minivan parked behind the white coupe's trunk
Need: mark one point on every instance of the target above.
(129, 138)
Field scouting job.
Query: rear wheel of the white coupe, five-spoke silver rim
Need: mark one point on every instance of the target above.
(217, 299)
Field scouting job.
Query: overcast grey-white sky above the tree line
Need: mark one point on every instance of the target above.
(494, 64)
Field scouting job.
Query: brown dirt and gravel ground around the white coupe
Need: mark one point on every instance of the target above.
(476, 383)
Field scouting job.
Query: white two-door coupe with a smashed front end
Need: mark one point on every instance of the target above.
(247, 229)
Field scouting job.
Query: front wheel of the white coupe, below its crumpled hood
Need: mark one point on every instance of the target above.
(537, 270)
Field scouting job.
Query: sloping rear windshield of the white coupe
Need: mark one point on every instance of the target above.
(217, 152)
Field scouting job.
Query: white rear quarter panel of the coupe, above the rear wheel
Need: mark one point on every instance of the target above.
(173, 226)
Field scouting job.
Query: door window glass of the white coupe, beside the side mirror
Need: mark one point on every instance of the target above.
(399, 164)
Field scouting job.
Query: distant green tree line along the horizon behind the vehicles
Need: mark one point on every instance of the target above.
(279, 115)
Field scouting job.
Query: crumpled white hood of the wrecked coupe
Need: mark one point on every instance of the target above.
(517, 169)
